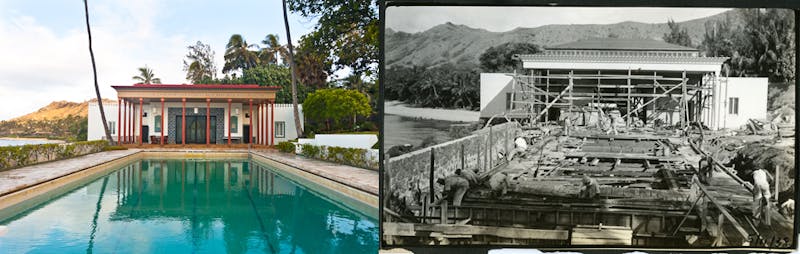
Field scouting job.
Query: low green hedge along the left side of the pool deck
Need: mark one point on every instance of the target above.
(20, 156)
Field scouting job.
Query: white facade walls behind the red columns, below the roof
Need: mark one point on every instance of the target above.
(283, 119)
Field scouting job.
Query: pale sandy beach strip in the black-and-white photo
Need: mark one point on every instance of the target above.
(453, 115)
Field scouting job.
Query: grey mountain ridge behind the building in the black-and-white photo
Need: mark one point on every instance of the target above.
(462, 45)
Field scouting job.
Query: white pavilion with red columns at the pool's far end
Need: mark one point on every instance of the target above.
(195, 114)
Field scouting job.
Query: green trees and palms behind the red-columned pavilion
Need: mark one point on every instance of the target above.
(345, 37)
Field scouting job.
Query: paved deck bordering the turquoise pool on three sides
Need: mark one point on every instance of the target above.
(17, 179)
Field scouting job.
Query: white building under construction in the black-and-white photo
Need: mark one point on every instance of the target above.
(644, 81)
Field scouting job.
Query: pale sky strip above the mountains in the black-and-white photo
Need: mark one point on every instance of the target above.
(412, 19)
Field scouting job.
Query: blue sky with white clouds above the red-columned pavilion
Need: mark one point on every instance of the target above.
(44, 54)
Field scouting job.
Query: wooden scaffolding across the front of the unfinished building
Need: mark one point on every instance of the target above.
(678, 98)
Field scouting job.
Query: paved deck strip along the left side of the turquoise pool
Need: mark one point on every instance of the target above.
(20, 178)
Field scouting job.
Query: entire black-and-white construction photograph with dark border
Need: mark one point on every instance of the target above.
(589, 127)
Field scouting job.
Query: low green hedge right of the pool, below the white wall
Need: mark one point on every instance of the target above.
(349, 156)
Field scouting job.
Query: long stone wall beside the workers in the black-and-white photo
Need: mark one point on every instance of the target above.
(481, 150)
